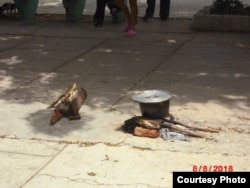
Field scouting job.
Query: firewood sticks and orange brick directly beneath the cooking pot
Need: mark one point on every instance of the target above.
(145, 127)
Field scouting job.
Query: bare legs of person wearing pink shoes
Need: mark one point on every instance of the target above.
(131, 15)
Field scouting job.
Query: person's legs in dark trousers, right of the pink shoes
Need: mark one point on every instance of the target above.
(164, 10)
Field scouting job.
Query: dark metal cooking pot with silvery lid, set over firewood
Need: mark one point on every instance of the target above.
(154, 103)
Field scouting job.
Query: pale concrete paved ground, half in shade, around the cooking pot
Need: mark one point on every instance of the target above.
(208, 74)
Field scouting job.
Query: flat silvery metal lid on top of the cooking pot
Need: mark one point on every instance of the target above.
(152, 96)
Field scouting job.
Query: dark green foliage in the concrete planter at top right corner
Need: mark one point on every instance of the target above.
(235, 7)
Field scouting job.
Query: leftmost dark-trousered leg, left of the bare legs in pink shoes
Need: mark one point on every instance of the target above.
(99, 12)
